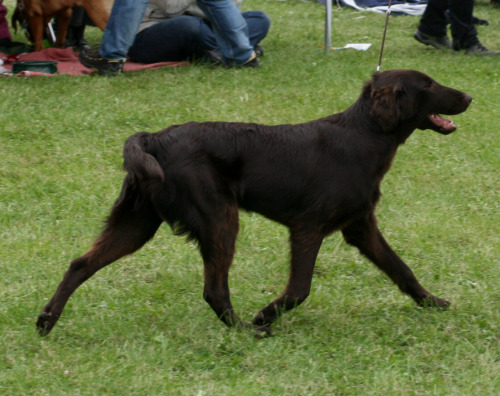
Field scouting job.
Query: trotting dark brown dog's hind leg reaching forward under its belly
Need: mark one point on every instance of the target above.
(217, 241)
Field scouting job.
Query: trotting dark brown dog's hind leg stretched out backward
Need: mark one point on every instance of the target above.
(128, 228)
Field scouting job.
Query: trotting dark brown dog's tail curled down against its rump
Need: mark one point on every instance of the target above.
(138, 162)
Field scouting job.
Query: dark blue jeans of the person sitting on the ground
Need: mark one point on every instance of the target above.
(187, 37)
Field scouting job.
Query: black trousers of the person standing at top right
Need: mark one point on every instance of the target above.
(458, 13)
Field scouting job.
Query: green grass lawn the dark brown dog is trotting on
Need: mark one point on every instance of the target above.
(140, 326)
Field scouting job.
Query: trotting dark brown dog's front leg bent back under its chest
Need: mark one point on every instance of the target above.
(305, 244)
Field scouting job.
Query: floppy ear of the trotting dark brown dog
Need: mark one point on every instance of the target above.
(390, 106)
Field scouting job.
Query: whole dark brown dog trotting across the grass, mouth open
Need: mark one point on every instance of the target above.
(315, 178)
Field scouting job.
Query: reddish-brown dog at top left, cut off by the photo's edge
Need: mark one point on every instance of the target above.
(40, 12)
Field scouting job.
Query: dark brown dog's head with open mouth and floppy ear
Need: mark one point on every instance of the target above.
(409, 99)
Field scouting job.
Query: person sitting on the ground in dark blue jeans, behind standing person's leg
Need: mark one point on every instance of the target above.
(175, 30)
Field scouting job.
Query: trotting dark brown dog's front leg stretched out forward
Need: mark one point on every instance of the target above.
(365, 235)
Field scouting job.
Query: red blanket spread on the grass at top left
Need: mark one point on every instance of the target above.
(67, 62)
